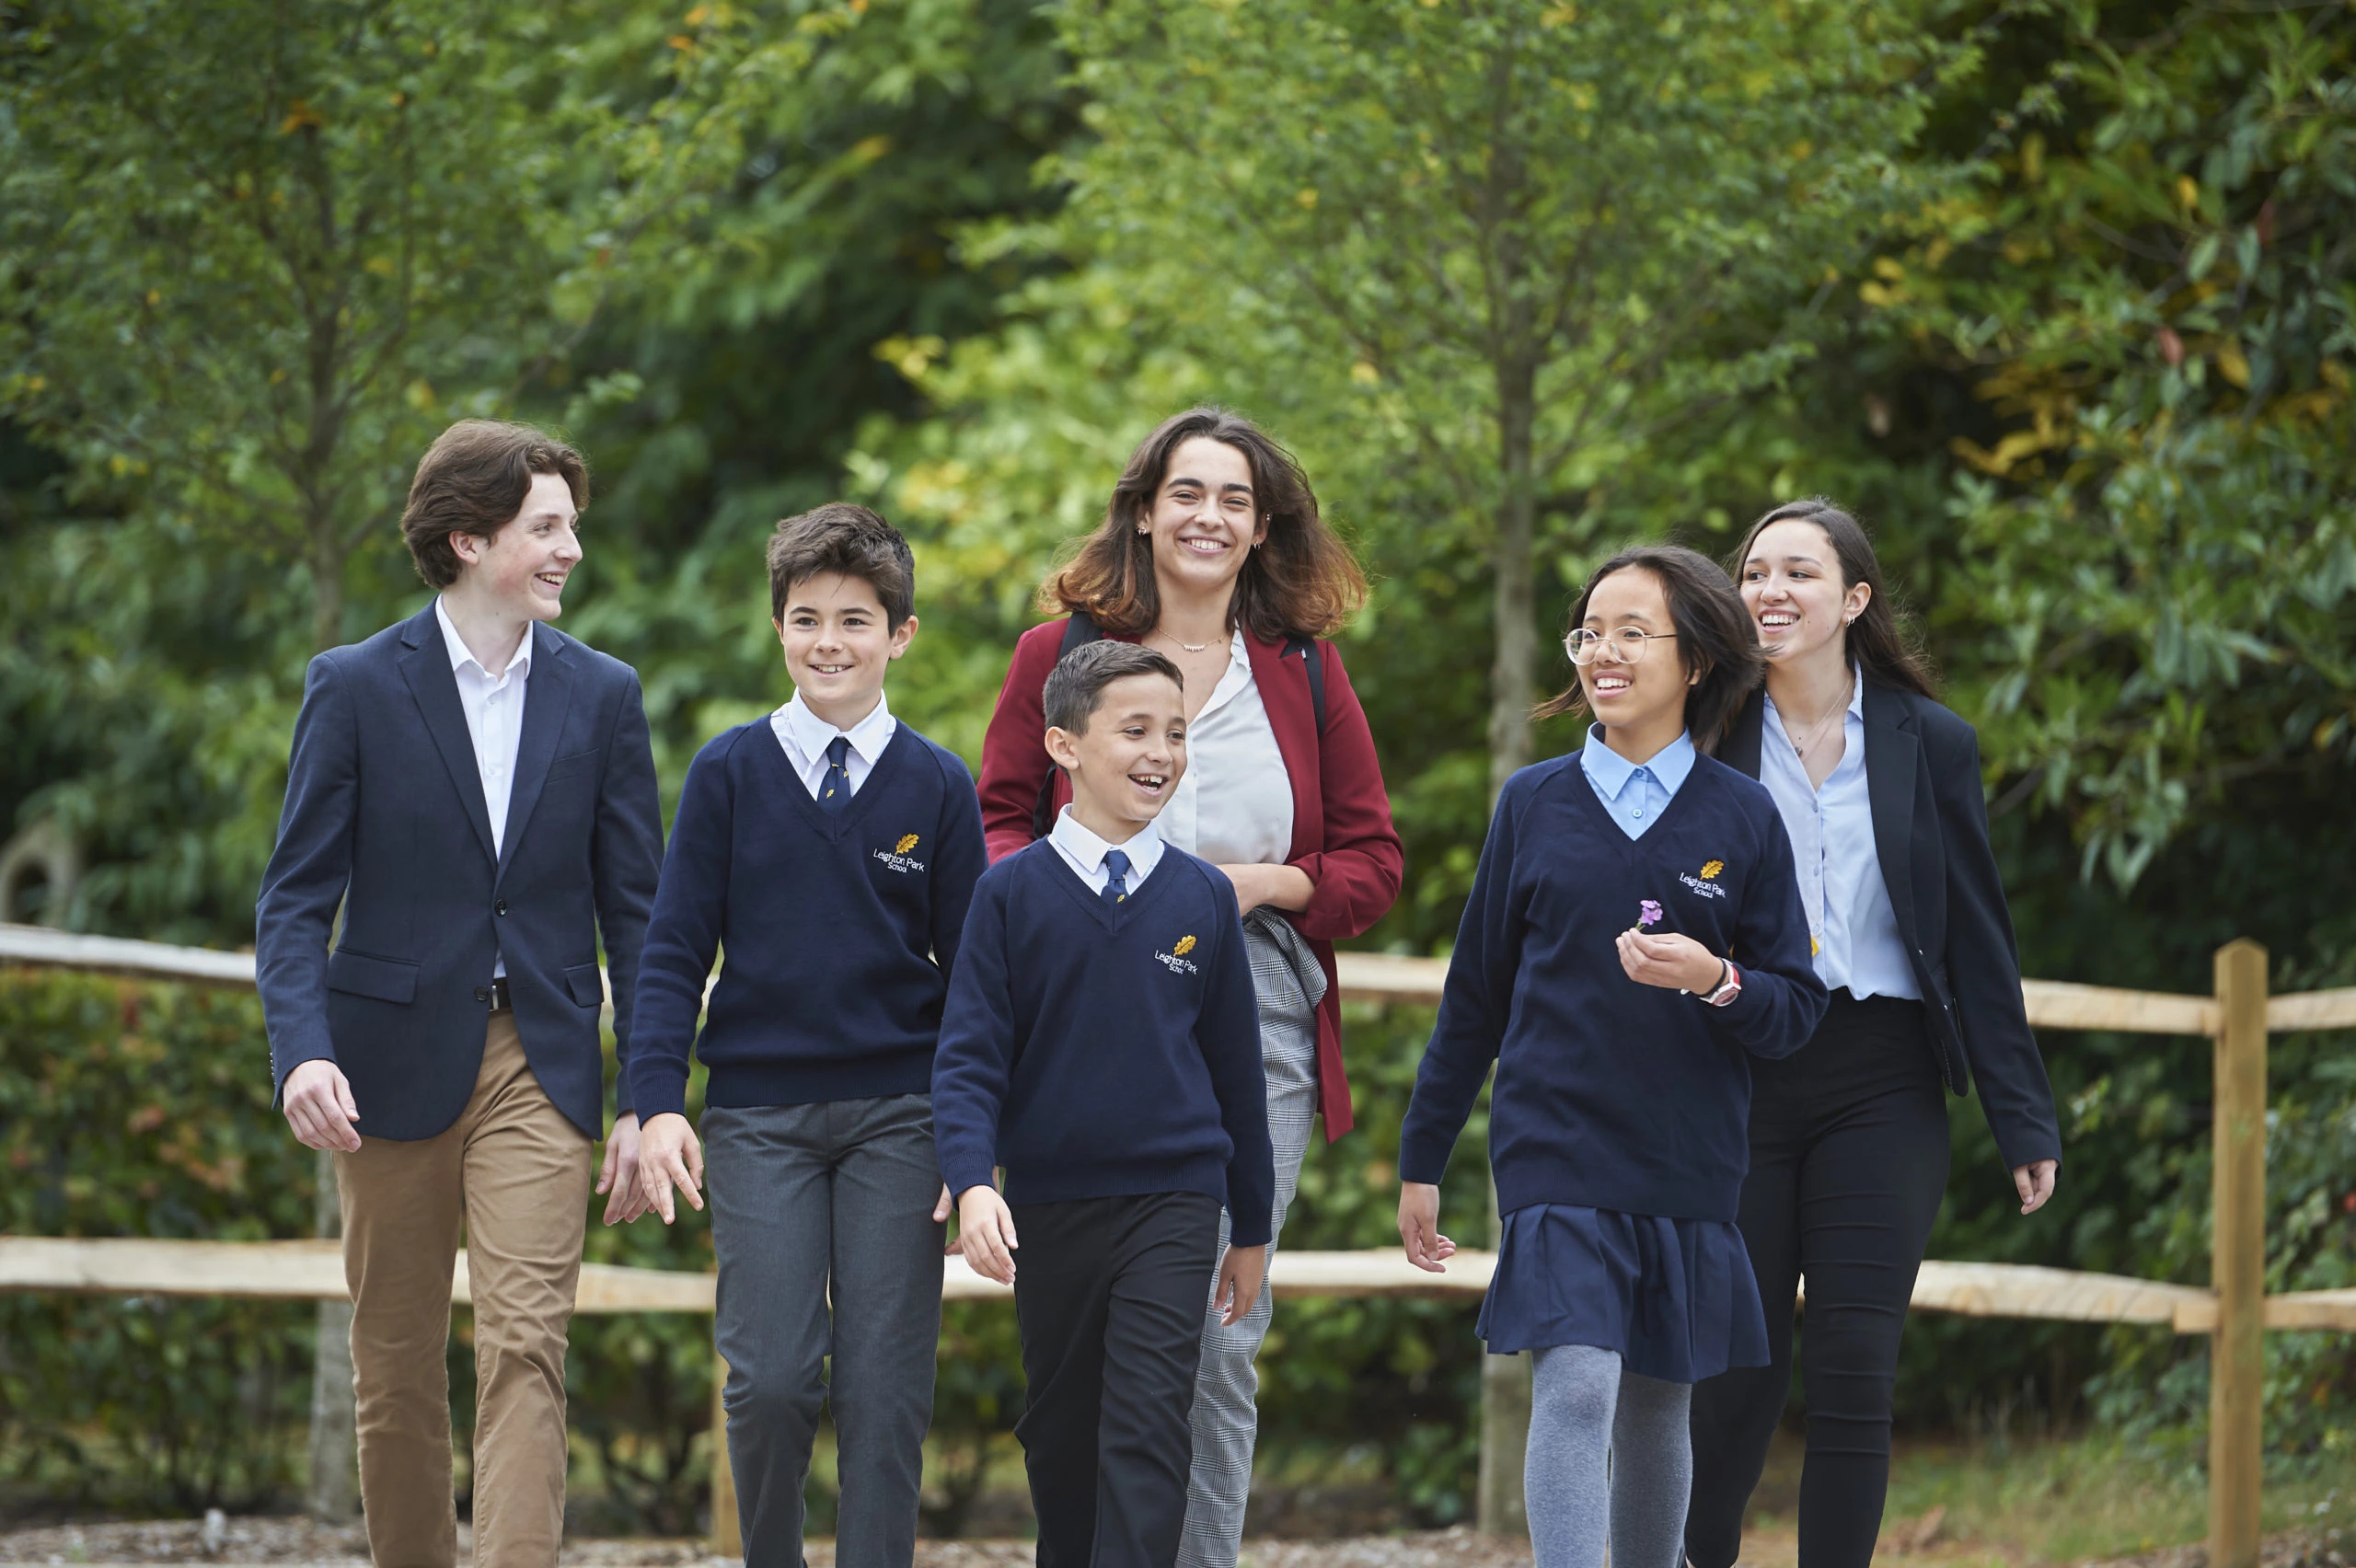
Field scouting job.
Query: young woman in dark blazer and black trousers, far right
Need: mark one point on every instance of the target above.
(1879, 788)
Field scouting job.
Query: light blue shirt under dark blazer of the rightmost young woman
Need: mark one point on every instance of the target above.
(1851, 922)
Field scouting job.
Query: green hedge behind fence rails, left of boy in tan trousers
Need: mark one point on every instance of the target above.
(145, 1112)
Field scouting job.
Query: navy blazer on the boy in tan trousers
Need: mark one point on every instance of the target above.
(385, 816)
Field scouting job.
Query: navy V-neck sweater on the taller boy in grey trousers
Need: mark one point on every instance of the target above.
(838, 929)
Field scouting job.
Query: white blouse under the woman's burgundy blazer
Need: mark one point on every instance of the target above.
(1236, 802)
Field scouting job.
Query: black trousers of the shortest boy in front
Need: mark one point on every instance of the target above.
(1108, 1303)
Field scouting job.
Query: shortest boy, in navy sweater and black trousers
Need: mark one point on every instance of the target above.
(1104, 1047)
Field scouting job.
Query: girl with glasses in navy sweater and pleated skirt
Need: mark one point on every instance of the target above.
(1632, 948)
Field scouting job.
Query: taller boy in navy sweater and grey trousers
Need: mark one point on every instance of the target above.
(833, 853)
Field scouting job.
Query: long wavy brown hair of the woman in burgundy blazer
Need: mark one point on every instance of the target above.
(1302, 578)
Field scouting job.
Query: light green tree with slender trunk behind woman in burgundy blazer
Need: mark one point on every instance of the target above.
(1509, 237)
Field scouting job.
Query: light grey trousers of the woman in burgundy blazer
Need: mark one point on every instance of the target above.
(1229, 1386)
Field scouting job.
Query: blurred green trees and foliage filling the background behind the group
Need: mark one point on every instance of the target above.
(2056, 293)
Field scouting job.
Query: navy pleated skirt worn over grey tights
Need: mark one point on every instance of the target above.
(1676, 1298)
